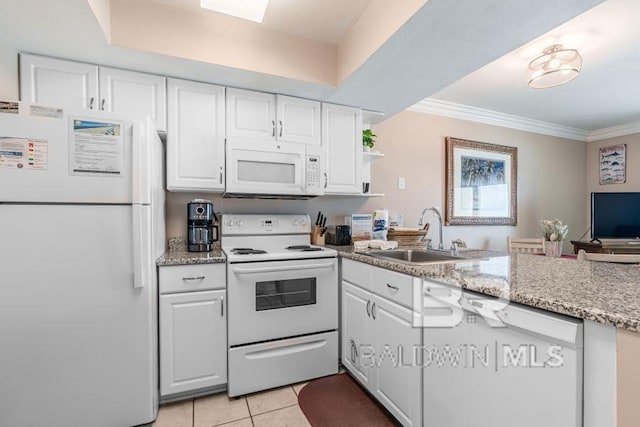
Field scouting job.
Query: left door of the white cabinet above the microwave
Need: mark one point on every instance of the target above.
(251, 114)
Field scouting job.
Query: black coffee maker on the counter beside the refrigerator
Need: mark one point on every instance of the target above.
(202, 230)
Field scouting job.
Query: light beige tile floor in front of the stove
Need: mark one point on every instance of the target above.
(277, 407)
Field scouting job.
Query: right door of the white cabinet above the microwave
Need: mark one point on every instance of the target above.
(298, 120)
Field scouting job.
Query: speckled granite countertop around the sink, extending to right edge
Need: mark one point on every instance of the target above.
(602, 292)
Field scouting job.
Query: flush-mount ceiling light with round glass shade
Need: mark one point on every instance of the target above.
(556, 66)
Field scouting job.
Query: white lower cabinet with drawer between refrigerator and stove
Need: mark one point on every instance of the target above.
(193, 330)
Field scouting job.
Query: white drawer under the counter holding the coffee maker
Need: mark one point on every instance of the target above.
(186, 278)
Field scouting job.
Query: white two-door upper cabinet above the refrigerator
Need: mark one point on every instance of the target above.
(77, 85)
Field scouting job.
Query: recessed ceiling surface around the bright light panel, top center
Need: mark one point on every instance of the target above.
(321, 20)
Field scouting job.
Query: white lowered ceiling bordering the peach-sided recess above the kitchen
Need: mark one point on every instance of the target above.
(443, 42)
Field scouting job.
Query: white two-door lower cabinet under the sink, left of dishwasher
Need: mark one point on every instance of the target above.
(378, 345)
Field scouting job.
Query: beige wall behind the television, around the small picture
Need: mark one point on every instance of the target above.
(593, 170)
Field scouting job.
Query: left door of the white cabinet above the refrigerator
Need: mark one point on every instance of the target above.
(55, 82)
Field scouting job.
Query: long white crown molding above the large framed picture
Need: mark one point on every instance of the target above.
(480, 115)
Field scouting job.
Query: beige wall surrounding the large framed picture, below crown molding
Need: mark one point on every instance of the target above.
(551, 176)
